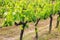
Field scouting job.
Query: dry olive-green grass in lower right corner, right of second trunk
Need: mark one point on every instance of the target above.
(53, 36)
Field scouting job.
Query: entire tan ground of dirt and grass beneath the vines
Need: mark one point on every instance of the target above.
(12, 32)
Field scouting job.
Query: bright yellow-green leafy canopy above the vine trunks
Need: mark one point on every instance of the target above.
(24, 10)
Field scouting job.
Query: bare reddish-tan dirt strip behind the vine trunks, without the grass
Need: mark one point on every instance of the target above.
(12, 33)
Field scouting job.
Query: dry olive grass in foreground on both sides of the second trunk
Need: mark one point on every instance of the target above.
(55, 34)
